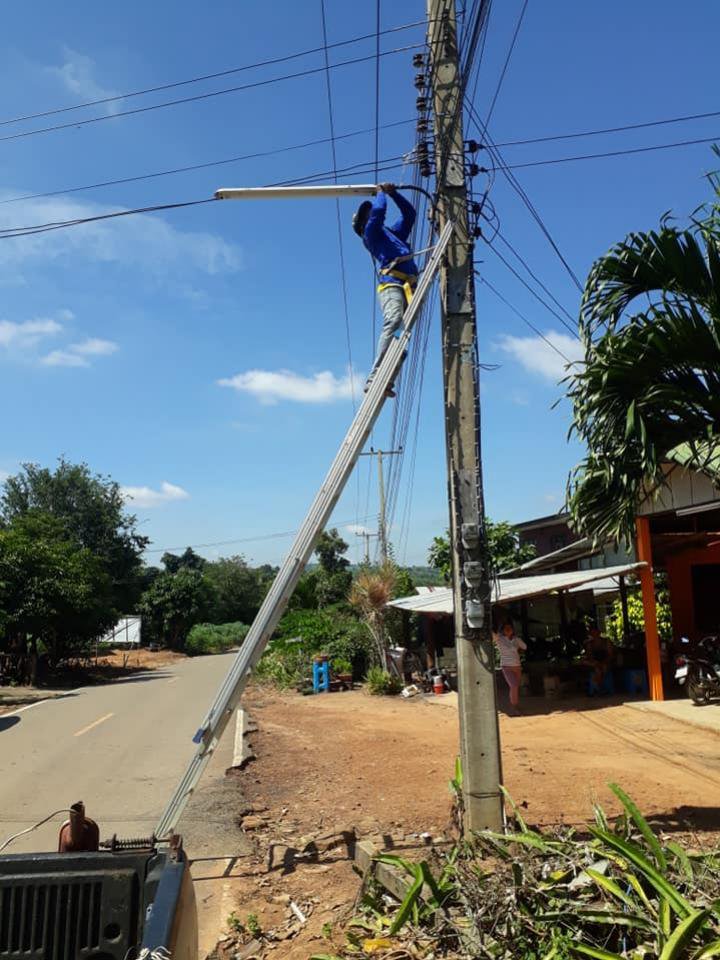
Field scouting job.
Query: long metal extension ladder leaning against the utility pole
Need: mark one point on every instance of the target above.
(276, 600)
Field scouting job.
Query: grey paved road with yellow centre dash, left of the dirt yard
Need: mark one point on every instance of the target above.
(121, 749)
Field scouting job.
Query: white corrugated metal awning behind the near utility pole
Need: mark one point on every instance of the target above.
(439, 600)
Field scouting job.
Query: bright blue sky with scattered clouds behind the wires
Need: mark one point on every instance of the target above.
(115, 338)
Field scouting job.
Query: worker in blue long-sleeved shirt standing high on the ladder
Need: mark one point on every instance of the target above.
(397, 270)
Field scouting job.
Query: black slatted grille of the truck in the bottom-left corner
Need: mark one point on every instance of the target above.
(56, 921)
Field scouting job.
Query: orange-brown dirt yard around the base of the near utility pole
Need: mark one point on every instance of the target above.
(331, 765)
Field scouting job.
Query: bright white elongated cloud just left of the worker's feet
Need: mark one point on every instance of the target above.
(270, 386)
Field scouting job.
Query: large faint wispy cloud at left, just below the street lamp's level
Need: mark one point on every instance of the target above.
(144, 241)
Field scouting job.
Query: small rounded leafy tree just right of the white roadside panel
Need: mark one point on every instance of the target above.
(174, 603)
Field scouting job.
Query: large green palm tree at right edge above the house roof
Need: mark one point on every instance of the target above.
(648, 392)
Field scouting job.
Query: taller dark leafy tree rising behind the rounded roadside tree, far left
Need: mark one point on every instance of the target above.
(91, 508)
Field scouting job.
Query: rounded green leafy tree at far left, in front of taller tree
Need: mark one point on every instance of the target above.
(55, 596)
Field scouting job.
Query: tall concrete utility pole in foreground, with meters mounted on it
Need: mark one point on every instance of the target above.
(479, 736)
